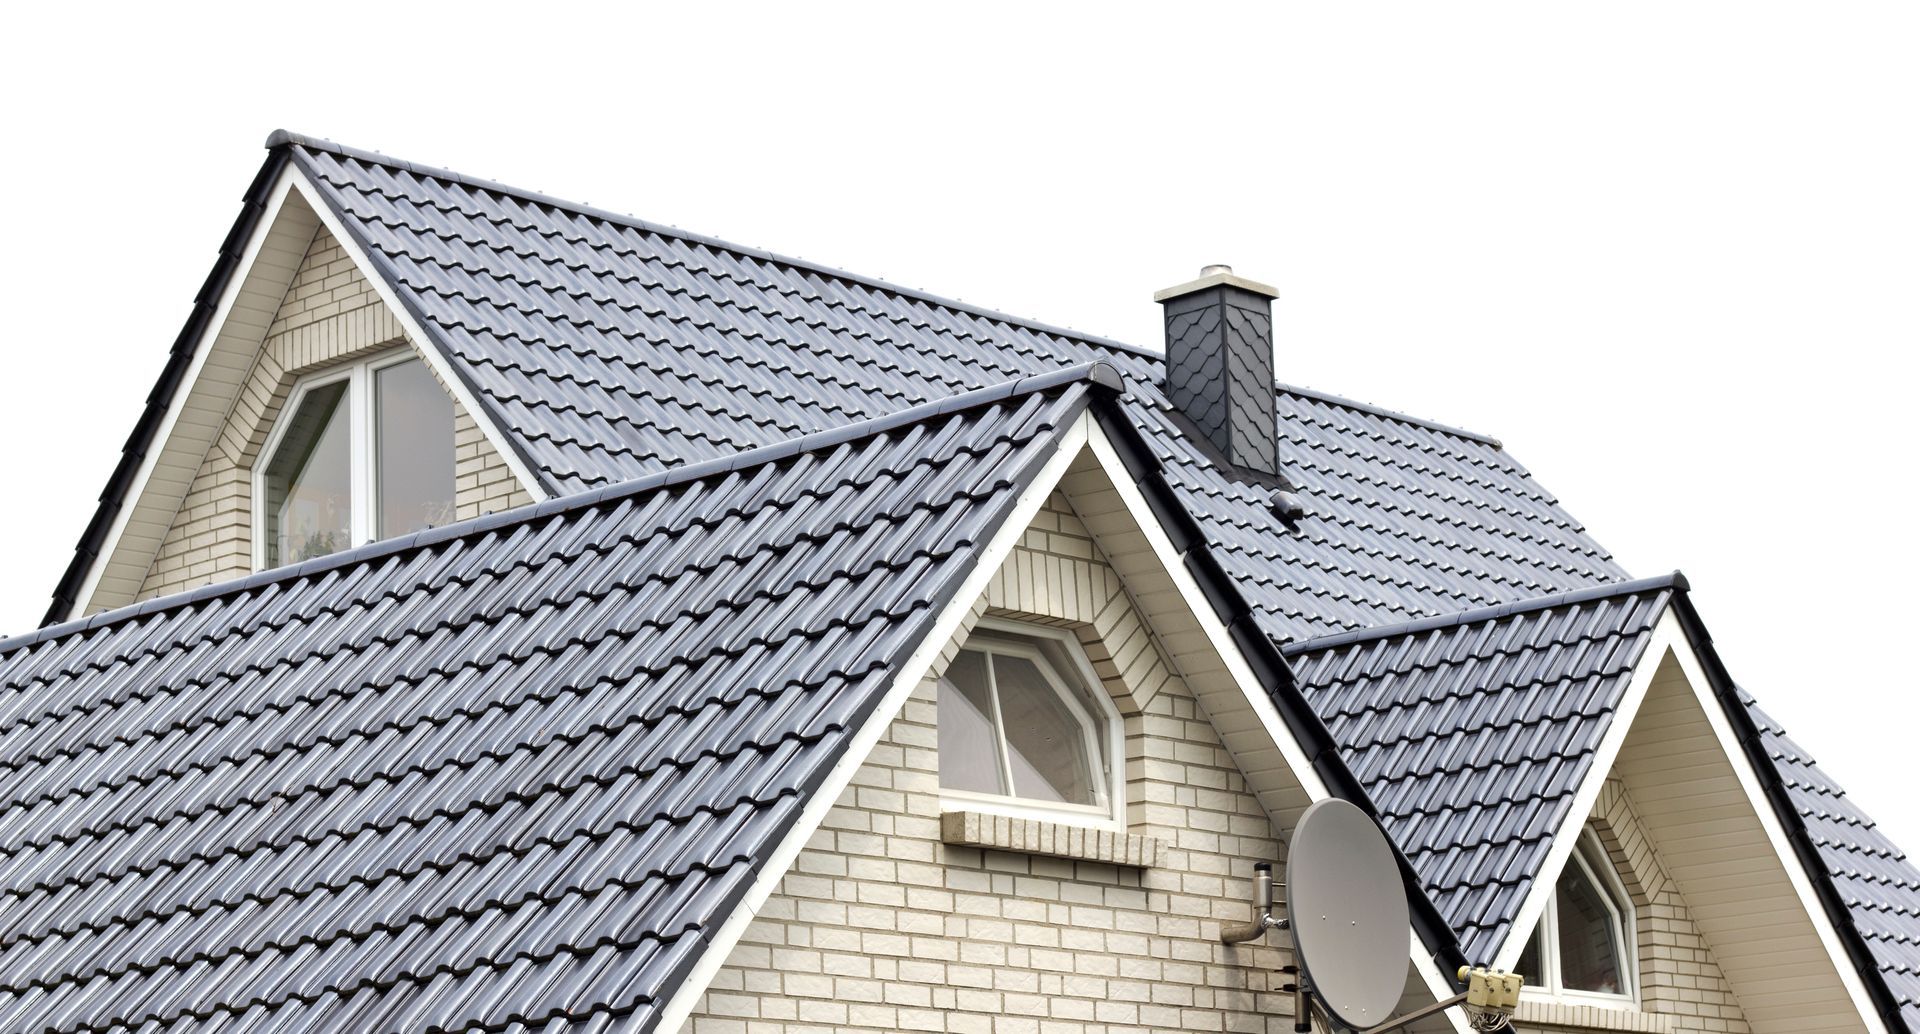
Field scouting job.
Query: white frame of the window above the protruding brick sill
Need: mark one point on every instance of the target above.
(1101, 726)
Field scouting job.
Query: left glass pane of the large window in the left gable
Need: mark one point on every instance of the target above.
(308, 481)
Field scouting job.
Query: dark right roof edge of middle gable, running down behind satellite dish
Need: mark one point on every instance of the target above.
(1268, 665)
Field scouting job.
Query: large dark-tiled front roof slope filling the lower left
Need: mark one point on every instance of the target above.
(498, 774)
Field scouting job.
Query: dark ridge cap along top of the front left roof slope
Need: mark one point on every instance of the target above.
(1099, 375)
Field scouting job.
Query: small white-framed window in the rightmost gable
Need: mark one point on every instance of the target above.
(1585, 943)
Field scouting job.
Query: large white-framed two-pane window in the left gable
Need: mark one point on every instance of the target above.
(360, 454)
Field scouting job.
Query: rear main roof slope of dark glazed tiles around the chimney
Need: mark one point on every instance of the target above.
(606, 348)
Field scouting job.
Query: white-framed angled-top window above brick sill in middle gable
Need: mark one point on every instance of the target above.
(1024, 726)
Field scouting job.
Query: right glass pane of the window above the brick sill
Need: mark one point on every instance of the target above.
(1045, 740)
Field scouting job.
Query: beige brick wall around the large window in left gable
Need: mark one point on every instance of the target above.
(329, 316)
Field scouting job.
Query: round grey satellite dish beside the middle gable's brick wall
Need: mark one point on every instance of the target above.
(1349, 914)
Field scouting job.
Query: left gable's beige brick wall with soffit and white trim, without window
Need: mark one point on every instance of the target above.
(297, 304)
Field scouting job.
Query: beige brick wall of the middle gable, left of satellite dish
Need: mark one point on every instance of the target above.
(884, 928)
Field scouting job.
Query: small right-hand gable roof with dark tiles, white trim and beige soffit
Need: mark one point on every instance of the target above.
(1489, 741)
